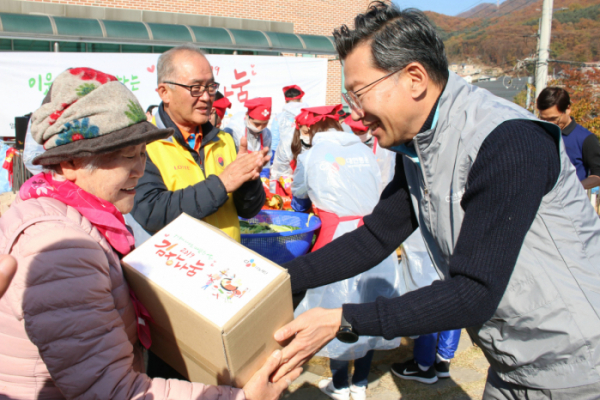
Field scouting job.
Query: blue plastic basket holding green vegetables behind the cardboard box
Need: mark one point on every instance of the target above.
(281, 247)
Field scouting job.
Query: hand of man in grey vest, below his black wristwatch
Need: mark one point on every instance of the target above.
(313, 329)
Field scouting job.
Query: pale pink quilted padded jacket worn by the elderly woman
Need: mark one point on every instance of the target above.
(67, 324)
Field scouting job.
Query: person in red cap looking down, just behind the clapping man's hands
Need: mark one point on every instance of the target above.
(253, 125)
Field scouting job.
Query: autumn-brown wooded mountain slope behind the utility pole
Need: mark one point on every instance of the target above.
(501, 36)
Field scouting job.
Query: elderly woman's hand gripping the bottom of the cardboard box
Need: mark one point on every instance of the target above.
(260, 388)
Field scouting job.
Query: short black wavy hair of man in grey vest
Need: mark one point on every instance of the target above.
(398, 38)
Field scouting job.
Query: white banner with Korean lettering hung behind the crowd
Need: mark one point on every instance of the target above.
(26, 76)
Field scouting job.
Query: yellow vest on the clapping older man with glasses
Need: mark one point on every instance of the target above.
(179, 170)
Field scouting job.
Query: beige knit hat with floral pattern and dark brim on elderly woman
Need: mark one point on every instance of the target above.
(89, 112)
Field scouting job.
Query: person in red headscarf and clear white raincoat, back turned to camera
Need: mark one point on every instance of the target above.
(341, 178)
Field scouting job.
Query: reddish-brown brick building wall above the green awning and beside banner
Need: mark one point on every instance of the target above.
(313, 17)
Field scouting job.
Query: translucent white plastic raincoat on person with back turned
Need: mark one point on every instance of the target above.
(340, 175)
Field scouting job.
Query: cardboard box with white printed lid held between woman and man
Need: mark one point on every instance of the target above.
(215, 303)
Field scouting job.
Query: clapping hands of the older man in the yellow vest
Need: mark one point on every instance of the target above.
(246, 167)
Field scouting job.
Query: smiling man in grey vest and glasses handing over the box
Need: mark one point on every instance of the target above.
(506, 222)
